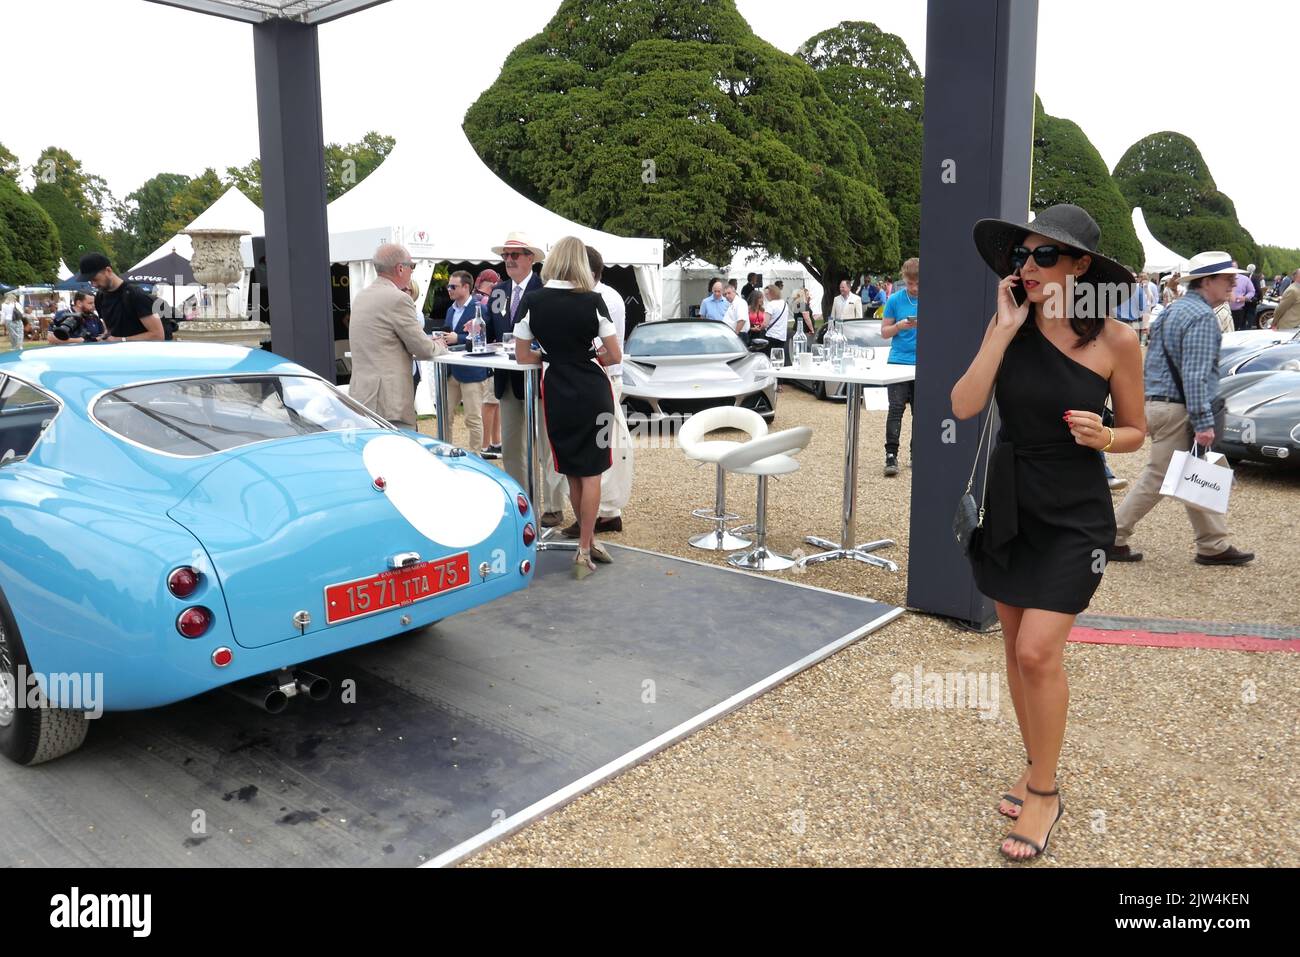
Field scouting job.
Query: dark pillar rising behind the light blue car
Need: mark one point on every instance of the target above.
(293, 192)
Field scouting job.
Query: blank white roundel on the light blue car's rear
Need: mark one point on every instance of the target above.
(457, 508)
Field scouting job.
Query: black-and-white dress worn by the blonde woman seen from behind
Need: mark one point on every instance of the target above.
(578, 399)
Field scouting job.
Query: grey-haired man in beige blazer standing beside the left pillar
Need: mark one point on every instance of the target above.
(387, 335)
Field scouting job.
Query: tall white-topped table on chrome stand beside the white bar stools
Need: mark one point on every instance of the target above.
(855, 378)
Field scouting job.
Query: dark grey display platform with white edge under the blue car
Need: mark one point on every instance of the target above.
(452, 737)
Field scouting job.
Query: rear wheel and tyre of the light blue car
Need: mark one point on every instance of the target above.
(31, 735)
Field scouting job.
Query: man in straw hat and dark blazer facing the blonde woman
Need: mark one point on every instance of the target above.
(519, 256)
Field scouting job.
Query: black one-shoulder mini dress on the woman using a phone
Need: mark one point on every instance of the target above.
(1048, 513)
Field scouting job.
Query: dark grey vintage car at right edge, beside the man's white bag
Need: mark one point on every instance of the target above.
(1262, 418)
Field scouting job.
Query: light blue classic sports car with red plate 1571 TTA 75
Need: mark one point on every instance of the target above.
(180, 517)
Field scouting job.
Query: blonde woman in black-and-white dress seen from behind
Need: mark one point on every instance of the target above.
(566, 318)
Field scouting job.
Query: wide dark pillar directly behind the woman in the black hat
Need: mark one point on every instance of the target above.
(980, 137)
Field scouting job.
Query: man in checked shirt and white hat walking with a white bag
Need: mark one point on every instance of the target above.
(1182, 380)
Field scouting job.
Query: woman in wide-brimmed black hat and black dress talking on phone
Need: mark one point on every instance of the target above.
(1055, 358)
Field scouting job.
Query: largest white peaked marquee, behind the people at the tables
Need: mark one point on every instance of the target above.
(444, 205)
